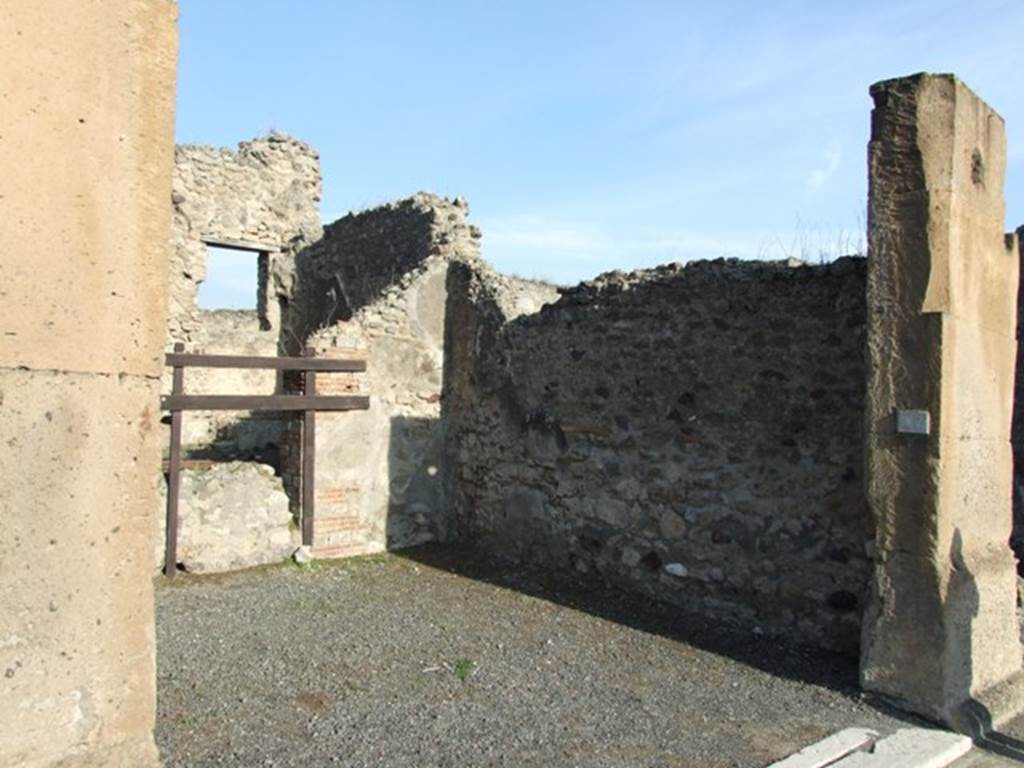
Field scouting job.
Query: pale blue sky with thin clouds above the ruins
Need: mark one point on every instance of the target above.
(595, 136)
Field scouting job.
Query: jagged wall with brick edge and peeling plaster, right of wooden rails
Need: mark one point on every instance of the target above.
(376, 287)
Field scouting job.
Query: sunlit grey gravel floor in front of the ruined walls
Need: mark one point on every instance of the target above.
(400, 661)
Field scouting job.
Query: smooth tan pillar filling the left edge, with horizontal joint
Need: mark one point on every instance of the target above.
(87, 153)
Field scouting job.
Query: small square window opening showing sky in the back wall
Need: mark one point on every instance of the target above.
(236, 279)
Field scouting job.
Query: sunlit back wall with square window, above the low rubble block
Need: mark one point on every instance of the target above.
(266, 193)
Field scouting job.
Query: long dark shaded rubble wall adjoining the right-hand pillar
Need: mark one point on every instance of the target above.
(695, 434)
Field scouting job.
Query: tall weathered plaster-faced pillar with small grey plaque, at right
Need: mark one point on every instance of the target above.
(941, 635)
